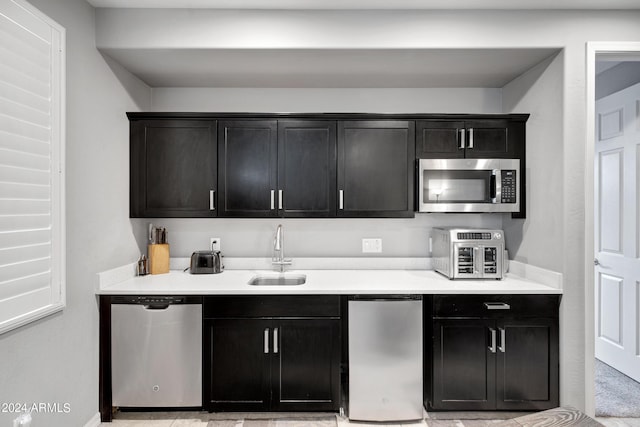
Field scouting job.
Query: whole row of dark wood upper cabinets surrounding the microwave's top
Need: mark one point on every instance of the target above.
(302, 165)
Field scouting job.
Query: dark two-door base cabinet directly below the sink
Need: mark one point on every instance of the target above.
(270, 363)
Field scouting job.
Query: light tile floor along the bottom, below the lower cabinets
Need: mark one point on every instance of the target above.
(201, 419)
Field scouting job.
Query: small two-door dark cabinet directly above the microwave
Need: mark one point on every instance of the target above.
(484, 138)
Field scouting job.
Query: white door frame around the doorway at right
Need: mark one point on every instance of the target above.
(621, 50)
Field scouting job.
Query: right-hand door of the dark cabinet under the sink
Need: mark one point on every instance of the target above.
(306, 365)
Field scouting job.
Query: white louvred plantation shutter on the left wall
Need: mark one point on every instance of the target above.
(32, 270)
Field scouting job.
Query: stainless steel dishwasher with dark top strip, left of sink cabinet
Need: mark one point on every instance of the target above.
(156, 351)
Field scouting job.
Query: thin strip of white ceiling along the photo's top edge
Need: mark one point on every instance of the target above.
(372, 4)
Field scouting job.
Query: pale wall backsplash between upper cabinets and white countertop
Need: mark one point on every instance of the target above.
(308, 237)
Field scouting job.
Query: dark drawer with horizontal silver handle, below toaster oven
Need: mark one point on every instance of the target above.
(496, 305)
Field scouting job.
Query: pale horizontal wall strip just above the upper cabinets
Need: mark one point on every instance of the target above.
(327, 100)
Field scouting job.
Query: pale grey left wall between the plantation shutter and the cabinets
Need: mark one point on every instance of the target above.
(55, 360)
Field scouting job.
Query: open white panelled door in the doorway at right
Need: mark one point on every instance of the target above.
(617, 231)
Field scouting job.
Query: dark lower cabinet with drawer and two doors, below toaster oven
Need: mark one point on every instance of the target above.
(504, 360)
